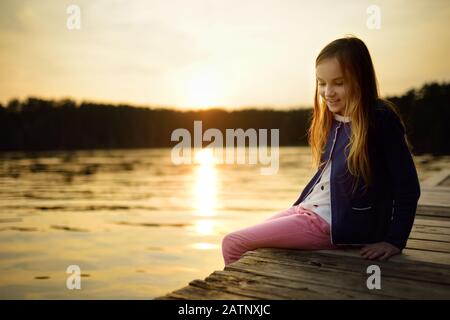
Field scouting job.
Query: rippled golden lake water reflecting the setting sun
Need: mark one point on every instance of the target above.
(137, 225)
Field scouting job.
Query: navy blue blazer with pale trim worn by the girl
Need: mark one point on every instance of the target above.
(385, 210)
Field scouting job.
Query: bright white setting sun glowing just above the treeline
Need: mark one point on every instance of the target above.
(205, 89)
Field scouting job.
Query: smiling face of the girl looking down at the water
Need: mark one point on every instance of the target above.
(330, 83)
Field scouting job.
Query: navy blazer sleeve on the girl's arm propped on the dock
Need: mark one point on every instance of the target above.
(406, 186)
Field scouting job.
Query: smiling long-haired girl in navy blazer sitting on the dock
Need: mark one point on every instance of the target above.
(366, 189)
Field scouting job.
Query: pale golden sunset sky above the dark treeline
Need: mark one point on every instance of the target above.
(202, 53)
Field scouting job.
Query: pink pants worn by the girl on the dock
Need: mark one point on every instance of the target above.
(294, 228)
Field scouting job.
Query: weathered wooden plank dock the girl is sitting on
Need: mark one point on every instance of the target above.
(421, 272)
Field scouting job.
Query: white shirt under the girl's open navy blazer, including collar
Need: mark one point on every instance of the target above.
(319, 199)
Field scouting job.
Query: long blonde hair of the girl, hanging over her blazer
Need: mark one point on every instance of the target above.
(362, 93)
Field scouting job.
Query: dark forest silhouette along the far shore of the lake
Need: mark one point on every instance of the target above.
(37, 124)
